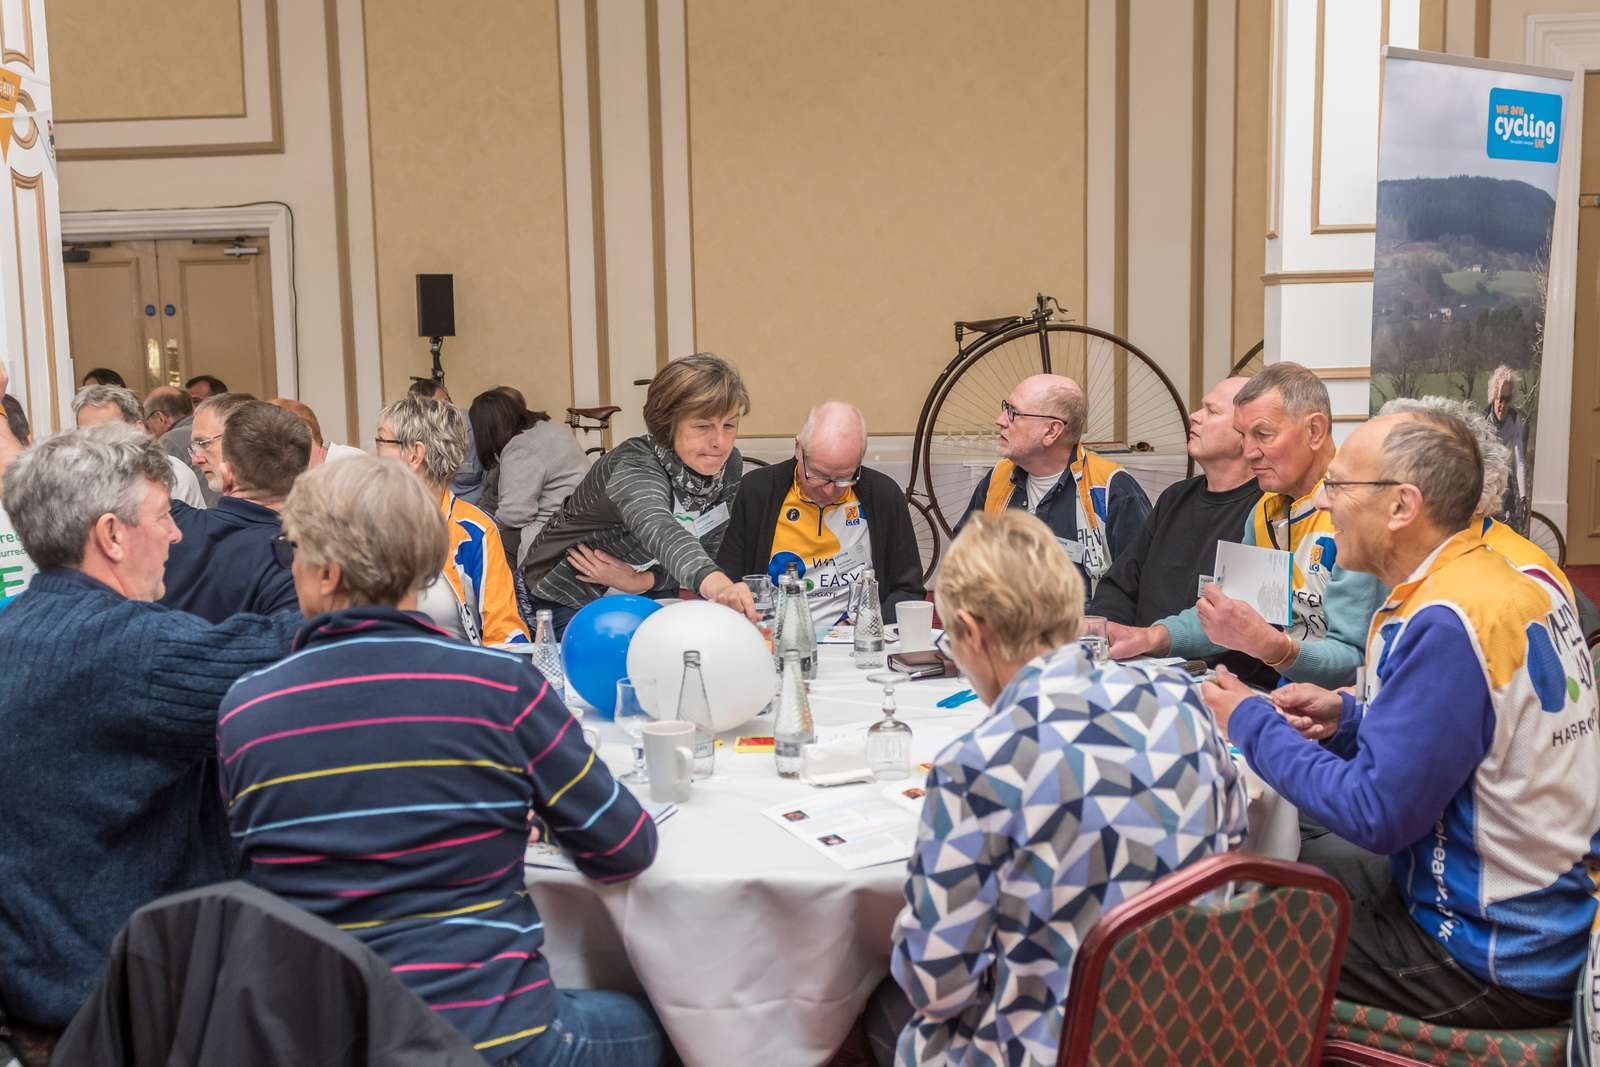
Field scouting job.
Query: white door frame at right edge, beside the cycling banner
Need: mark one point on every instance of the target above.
(1570, 42)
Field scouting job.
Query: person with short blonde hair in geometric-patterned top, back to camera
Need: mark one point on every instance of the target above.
(999, 895)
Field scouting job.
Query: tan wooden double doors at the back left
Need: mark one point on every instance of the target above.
(162, 311)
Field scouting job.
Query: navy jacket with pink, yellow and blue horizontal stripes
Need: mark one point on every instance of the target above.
(383, 777)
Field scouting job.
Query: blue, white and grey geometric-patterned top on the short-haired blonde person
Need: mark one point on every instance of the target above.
(1081, 789)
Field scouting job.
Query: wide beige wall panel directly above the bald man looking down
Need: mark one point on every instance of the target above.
(871, 174)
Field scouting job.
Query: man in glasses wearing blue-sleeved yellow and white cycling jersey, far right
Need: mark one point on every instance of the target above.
(1468, 761)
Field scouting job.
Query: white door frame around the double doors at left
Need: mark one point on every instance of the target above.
(273, 220)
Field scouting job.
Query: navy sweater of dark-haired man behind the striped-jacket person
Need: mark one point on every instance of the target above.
(225, 564)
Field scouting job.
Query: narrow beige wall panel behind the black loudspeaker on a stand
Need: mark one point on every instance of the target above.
(471, 190)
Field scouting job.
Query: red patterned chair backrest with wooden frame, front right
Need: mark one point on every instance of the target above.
(1174, 977)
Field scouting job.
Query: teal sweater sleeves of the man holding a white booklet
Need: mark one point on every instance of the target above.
(1329, 660)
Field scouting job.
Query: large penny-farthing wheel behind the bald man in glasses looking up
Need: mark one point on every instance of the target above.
(1135, 415)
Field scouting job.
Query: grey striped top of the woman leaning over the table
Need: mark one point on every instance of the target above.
(625, 506)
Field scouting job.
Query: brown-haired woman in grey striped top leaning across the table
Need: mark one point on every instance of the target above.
(650, 514)
